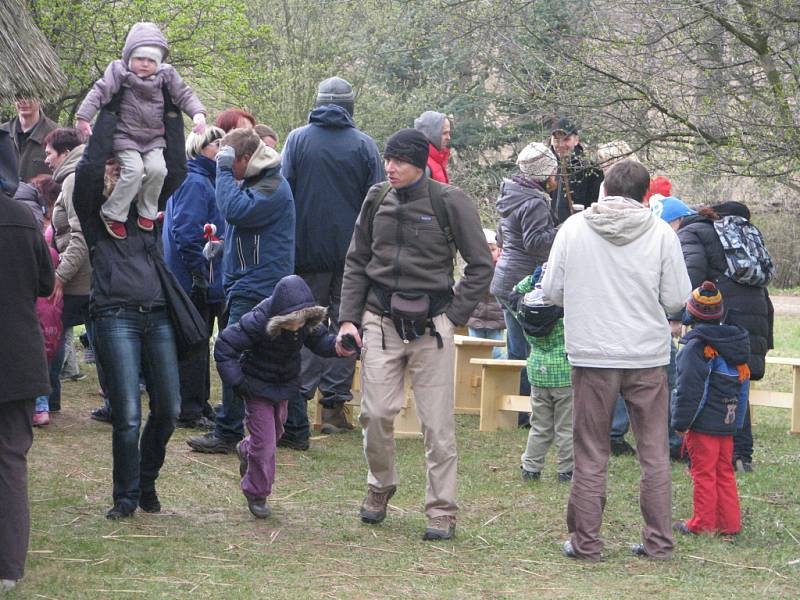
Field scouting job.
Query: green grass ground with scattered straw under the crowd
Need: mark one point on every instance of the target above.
(206, 545)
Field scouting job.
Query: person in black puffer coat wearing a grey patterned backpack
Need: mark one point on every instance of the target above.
(748, 306)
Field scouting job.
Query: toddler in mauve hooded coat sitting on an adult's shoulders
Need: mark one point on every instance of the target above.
(139, 141)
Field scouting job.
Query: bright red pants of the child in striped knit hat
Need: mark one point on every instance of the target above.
(716, 502)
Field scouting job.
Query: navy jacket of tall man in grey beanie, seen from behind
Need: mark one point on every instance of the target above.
(330, 166)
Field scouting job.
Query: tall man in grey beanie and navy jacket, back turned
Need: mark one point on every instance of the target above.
(329, 165)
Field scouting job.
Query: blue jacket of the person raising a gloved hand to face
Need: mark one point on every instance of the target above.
(259, 232)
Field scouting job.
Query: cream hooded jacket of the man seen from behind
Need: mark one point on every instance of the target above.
(617, 270)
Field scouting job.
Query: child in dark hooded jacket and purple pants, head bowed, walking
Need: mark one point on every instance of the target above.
(260, 358)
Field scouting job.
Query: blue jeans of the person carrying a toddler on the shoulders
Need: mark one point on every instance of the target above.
(125, 339)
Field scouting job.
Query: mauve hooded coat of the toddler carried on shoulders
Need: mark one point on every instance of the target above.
(141, 112)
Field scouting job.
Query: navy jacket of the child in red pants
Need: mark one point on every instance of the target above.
(723, 412)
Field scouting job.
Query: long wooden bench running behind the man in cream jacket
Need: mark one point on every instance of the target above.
(500, 398)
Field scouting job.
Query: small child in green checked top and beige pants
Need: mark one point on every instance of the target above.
(550, 377)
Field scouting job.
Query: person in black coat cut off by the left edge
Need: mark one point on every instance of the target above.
(27, 273)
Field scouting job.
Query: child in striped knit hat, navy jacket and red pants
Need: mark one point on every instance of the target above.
(712, 391)
